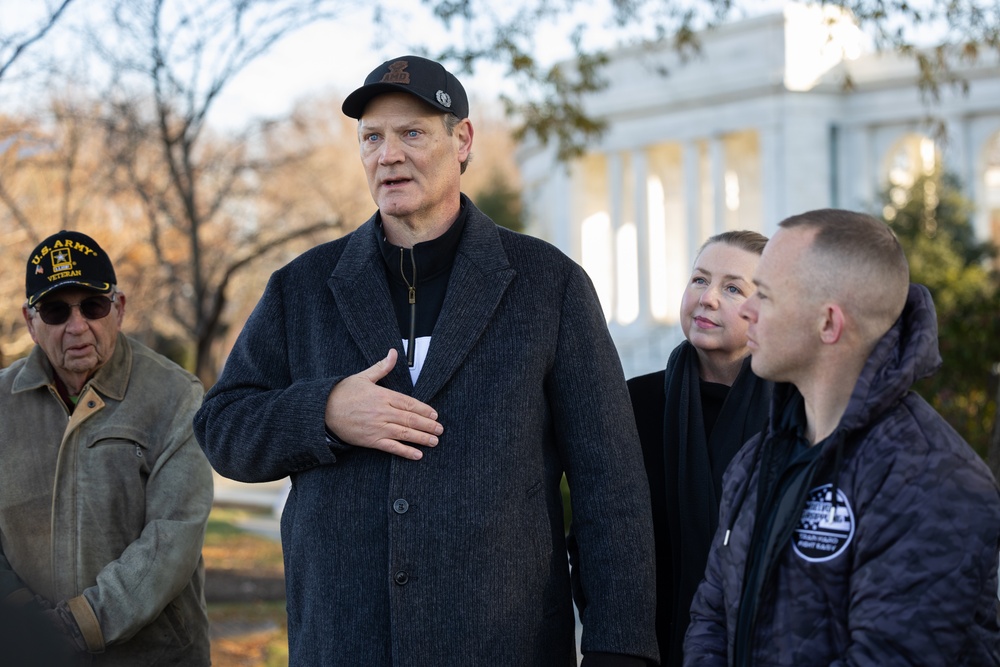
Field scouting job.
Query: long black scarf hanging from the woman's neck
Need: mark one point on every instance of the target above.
(693, 467)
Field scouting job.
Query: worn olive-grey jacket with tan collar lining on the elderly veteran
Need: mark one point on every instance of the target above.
(106, 508)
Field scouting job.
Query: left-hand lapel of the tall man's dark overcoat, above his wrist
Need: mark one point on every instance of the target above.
(359, 288)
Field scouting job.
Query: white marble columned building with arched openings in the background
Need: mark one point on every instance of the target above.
(758, 127)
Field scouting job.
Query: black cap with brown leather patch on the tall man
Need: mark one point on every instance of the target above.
(426, 79)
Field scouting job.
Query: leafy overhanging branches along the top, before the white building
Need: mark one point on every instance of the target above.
(549, 99)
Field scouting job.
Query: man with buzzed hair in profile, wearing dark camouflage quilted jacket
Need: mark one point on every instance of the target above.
(858, 528)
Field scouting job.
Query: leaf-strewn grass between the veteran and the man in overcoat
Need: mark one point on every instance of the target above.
(244, 634)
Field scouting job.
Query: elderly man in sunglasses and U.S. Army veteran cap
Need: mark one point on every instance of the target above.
(104, 492)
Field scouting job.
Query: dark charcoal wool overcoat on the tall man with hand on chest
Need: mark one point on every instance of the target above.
(458, 558)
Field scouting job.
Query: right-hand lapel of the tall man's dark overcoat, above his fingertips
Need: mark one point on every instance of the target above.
(479, 278)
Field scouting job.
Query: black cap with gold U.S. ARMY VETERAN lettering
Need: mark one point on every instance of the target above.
(68, 259)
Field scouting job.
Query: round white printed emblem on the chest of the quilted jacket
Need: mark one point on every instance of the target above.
(824, 530)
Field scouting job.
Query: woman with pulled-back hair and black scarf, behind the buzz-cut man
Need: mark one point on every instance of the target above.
(693, 417)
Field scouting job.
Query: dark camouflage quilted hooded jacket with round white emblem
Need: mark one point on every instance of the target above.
(893, 558)
